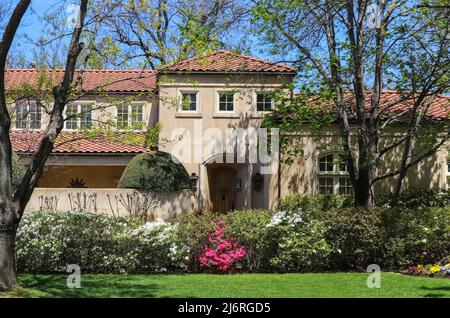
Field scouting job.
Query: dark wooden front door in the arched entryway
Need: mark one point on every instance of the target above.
(222, 182)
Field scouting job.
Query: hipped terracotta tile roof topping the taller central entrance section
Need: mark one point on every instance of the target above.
(227, 61)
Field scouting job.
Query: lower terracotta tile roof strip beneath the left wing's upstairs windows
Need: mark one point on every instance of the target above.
(26, 141)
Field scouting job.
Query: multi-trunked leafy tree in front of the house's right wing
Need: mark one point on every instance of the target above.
(347, 52)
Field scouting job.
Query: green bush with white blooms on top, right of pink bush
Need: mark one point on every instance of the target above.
(298, 242)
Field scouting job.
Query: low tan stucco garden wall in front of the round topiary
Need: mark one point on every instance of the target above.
(113, 202)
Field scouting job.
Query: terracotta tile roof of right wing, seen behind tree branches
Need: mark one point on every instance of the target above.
(393, 102)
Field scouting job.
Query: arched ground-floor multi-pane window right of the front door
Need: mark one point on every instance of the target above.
(333, 176)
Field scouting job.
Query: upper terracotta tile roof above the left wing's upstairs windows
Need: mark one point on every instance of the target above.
(92, 80)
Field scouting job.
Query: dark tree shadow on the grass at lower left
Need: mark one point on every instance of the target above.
(100, 286)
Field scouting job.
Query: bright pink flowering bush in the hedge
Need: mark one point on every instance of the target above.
(220, 254)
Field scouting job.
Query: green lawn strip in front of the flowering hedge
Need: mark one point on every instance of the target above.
(243, 285)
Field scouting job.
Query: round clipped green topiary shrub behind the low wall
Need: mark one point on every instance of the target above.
(155, 171)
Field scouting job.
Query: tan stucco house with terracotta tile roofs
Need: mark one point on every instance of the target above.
(204, 106)
